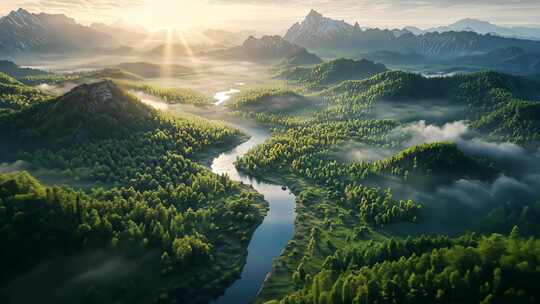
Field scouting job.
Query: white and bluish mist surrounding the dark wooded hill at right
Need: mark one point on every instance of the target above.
(453, 206)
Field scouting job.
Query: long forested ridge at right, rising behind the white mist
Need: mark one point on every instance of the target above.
(502, 107)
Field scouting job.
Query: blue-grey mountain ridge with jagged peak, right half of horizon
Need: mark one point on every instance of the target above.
(319, 33)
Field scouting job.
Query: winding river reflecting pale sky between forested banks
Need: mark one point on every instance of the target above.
(271, 237)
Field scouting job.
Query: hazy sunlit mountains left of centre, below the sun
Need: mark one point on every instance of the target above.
(22, 31)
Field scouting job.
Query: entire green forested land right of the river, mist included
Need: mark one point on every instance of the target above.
(364, 176)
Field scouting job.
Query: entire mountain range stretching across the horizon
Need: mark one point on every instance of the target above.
(22, 31)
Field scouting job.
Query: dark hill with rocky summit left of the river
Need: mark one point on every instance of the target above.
(88, 112)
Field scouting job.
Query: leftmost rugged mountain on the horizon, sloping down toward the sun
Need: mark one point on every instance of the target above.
(23, 31)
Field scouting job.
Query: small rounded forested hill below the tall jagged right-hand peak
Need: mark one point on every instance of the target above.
(333, 72)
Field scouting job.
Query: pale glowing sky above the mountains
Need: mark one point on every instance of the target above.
(275, 16)
